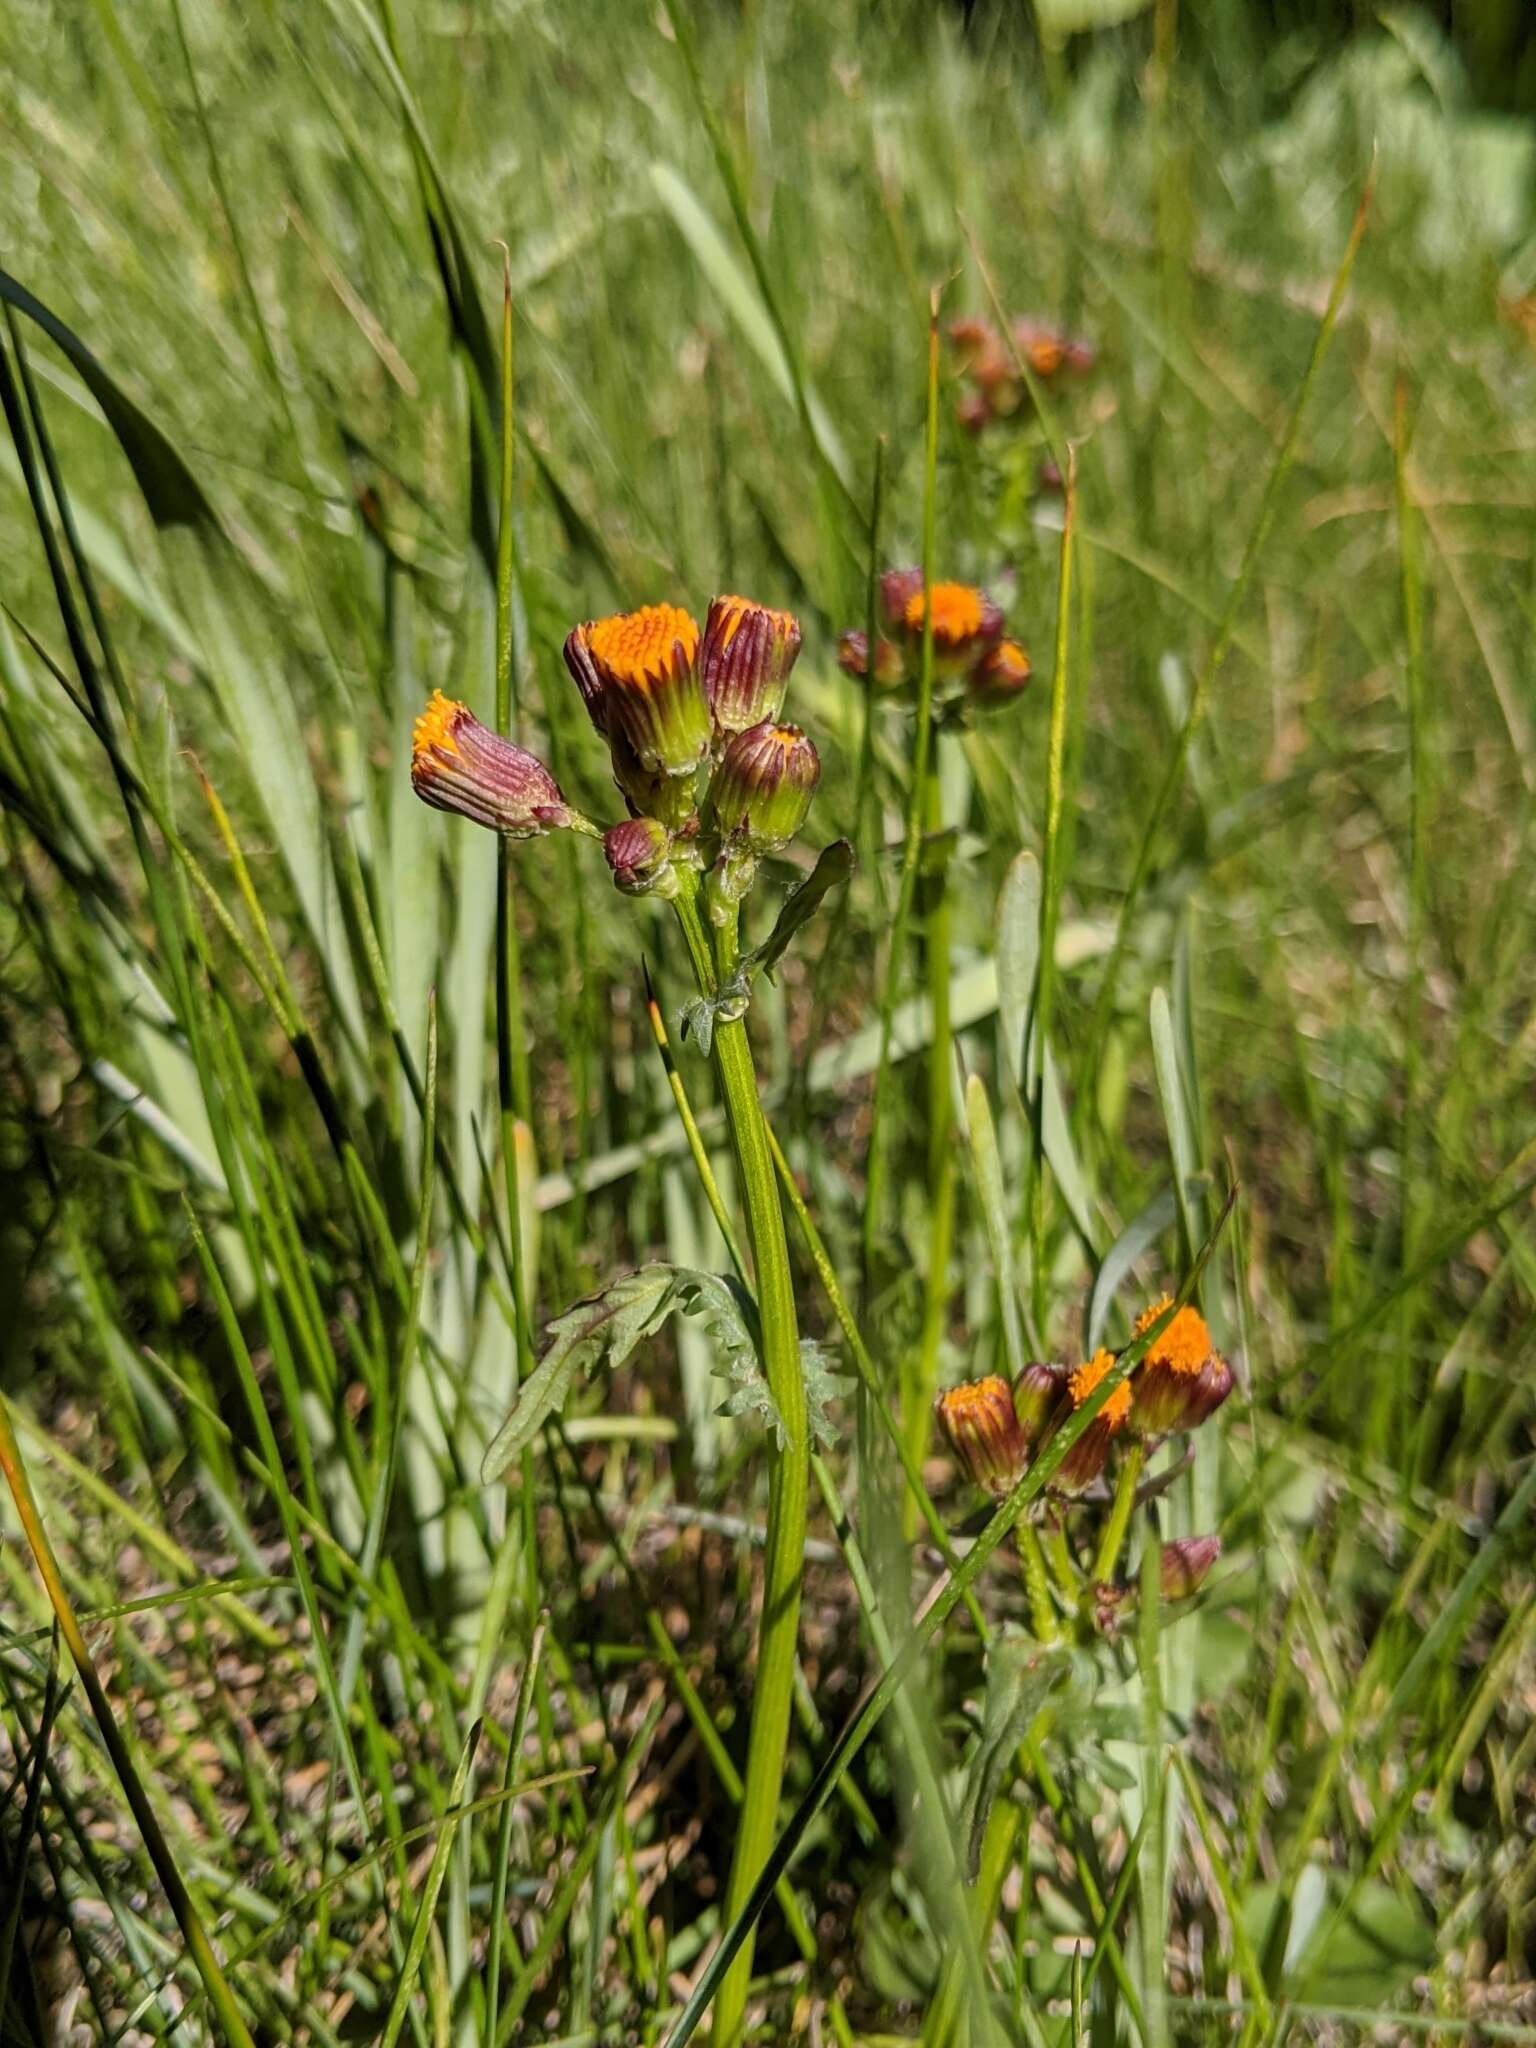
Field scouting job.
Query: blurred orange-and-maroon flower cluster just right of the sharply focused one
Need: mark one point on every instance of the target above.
(976, 665)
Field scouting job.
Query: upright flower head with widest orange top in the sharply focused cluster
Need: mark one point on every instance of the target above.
(638, 679)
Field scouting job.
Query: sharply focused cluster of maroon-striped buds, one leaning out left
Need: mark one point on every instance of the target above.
(708, 773)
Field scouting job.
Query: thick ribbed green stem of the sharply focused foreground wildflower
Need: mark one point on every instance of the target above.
(787, 1465)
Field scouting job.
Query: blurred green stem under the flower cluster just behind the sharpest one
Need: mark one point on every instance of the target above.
(923, 1379)
